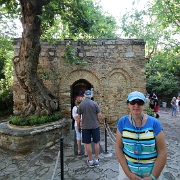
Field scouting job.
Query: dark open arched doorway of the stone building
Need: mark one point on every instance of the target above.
(79, 85)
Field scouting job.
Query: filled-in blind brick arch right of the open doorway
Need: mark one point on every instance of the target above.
(119, 84)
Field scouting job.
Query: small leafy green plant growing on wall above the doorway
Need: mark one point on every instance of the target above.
(72, 58)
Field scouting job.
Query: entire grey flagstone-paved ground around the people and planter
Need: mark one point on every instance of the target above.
(41, 165)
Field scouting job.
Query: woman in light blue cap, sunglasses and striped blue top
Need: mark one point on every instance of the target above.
(140, 143)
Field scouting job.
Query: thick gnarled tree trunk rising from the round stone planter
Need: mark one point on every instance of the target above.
(41, 100)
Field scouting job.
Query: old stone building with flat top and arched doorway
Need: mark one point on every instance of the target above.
(115, 68)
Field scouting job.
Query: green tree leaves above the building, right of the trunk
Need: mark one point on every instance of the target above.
(82, 19)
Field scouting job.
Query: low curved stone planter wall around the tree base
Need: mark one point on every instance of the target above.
(34, 138)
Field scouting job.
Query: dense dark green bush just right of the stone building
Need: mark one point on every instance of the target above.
(163, 73)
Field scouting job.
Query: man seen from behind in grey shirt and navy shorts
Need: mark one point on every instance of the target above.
(91, 115)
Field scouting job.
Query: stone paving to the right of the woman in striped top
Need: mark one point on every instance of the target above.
(171, 126)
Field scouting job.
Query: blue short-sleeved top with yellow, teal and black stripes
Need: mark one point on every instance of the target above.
(140, 164)
